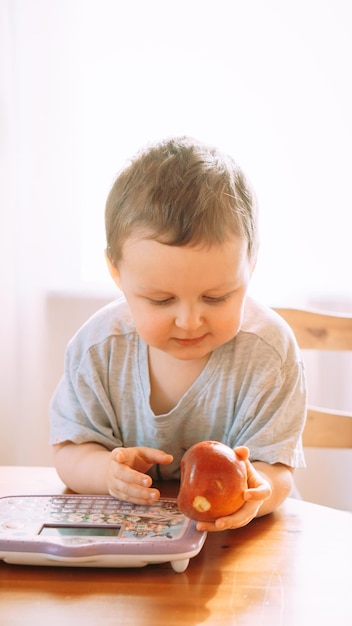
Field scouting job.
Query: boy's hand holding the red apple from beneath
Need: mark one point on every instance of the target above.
(258, 491)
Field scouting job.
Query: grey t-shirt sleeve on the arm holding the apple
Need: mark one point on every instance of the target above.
(271, 408)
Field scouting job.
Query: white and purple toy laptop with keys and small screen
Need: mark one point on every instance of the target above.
(95, 531)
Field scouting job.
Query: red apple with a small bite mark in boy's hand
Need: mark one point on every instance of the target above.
(213, 478)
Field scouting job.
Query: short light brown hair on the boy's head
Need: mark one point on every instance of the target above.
(180, 192)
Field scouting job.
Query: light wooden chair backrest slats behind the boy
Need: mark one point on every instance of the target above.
(325, 428)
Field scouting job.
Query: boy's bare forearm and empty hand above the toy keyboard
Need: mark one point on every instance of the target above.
(91, 468)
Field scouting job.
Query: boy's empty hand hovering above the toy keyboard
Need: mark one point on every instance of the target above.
(126, 473)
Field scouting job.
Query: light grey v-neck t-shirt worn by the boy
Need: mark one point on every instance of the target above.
(251, 392)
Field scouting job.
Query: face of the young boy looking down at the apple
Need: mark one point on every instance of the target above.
(185, 301)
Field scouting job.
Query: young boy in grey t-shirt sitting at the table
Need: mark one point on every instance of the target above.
(183, 355)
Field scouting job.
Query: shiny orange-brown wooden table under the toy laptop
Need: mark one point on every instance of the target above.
(291, 568)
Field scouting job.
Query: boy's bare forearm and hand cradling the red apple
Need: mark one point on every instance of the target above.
(268, 487)
